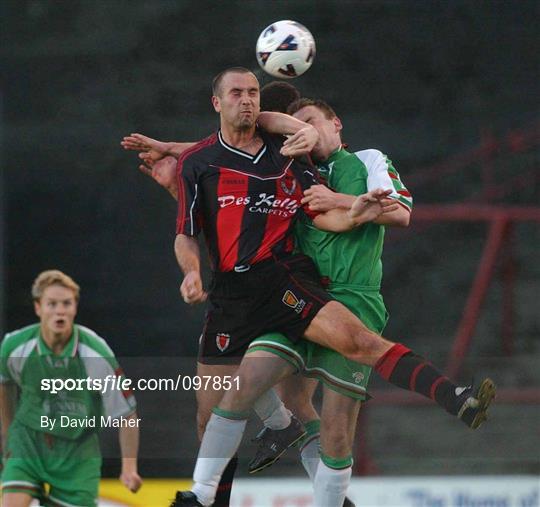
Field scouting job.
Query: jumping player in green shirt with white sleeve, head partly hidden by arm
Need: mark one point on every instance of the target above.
(351, 264)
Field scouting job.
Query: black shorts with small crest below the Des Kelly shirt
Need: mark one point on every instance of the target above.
(273, 296)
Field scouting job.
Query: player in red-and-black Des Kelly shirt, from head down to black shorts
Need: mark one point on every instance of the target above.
(240, 188)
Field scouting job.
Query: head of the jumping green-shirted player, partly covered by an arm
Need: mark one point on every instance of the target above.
(319, 114)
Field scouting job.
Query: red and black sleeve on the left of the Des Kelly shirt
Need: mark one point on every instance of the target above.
(187, 221)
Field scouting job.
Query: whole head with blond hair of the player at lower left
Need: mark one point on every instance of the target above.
(55, 296)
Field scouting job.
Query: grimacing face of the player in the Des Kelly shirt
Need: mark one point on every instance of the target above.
(238, 102)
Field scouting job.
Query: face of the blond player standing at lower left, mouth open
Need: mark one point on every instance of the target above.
(56, 310)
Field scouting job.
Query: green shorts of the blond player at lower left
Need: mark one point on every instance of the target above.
(71, 468)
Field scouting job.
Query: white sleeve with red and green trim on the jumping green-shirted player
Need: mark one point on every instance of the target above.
(382, 174)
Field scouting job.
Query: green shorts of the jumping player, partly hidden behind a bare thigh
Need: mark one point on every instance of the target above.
(331, 368)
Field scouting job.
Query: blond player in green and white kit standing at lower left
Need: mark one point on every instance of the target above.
(49, 437)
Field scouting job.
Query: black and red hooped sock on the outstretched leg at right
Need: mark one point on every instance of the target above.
(403, 368)
